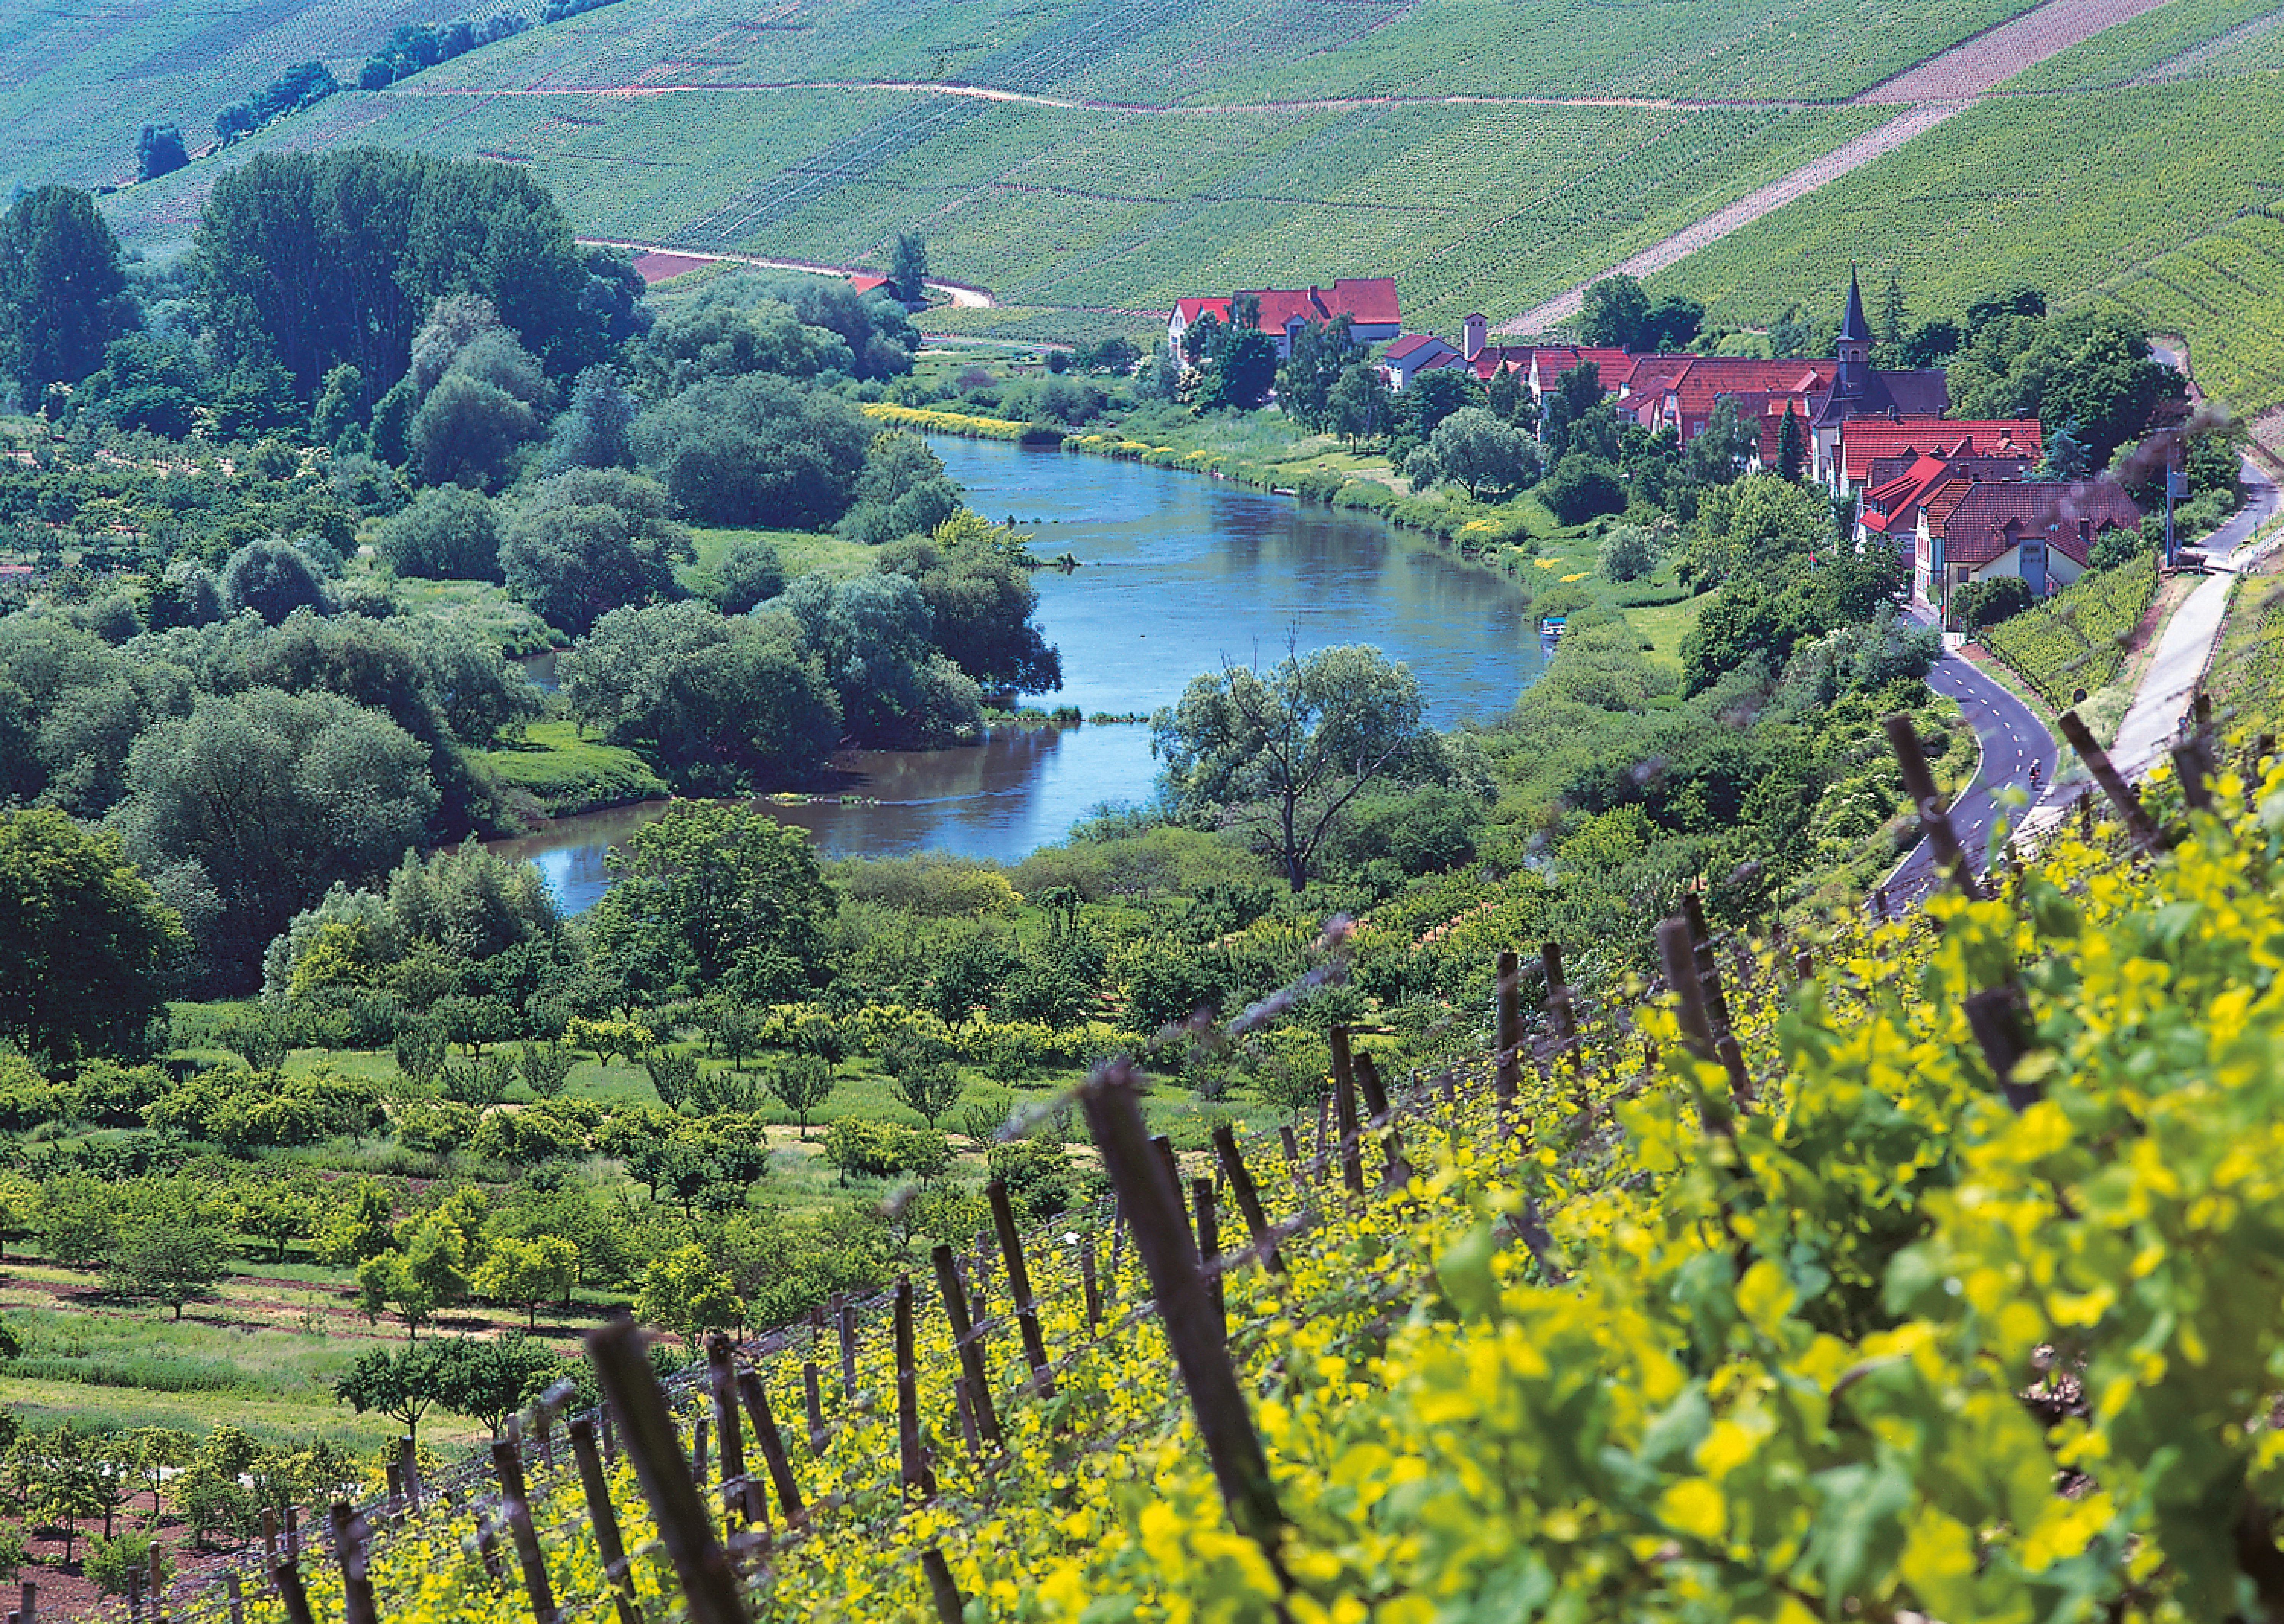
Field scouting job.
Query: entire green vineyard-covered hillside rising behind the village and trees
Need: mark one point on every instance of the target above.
(1127, 159)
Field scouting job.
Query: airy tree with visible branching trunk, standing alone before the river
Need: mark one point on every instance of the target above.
(1287, 750)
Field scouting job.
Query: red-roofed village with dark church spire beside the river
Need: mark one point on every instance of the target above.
(1965, 501)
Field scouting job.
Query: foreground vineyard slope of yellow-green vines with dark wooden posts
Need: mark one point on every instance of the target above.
(1872, 1271)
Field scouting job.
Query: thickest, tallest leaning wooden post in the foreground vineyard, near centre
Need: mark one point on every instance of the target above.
(1152, 1205)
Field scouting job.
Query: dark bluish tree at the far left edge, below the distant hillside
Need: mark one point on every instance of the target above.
(63, 294)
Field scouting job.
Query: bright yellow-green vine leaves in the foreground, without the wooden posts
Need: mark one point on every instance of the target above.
(1819, 1356)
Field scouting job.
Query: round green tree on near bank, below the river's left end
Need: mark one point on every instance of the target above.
(718, 894)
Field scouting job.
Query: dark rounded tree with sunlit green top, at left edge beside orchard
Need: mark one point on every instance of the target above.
(86, 944)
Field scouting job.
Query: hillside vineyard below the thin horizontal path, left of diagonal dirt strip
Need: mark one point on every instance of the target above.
(1107, 209)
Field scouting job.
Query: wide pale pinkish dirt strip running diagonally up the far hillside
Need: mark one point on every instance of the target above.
(1936, 90)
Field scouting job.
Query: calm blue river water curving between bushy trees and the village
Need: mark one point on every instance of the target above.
(1177, 574)
